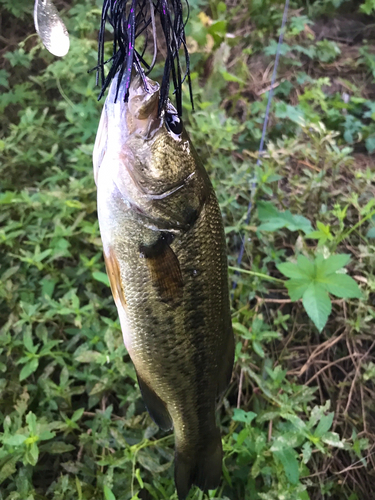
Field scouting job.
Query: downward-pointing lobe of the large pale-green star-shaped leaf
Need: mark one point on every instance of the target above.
(317, 304)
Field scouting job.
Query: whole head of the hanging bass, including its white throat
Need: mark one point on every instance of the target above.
(158, 171)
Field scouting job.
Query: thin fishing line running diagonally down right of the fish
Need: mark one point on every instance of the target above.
(264, 130)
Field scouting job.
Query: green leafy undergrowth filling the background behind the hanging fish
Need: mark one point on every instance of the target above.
(298, 417)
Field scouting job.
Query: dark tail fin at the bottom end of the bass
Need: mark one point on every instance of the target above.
(201, 467)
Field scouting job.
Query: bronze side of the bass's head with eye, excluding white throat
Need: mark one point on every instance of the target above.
(163, 160)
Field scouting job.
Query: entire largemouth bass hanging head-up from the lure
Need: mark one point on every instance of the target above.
(165, 255)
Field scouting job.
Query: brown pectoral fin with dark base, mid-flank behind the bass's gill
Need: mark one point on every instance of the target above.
(164, 269)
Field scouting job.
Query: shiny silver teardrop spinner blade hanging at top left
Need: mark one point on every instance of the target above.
(51, 28)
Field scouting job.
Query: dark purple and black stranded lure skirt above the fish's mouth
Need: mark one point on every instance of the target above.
(132, 18)
